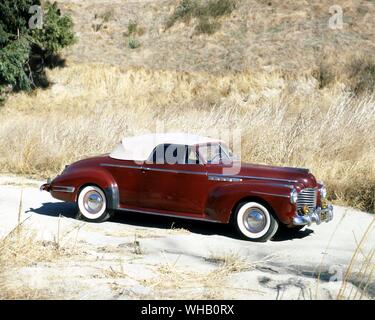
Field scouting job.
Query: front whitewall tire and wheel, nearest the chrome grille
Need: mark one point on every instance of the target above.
(255, 222)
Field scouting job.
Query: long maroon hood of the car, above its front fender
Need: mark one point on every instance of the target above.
(294, 176)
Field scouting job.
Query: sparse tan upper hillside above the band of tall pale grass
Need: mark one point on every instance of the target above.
(292, 36)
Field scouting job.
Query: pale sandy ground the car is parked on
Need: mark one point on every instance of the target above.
(136, 256)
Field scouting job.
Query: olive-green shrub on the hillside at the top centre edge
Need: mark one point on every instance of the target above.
(206, 13)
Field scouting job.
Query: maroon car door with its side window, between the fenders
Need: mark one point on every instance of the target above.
(173, 180)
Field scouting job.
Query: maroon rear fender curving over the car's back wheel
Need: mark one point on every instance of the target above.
(77, 178)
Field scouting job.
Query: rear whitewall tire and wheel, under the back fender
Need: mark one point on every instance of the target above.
(92, 205)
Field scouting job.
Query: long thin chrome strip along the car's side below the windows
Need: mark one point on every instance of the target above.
(194, 172)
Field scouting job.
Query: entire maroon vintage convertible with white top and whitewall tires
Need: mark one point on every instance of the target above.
(193, 177)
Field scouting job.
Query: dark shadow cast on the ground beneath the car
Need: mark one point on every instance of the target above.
(69, 210)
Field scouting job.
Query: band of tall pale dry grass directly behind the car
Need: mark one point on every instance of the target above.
(284, 121)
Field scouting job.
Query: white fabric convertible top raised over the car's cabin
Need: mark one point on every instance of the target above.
(139, 148)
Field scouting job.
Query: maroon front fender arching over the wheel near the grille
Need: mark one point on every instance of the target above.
(222, 199)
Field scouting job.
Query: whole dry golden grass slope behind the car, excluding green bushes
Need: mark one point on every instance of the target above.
(273, 71)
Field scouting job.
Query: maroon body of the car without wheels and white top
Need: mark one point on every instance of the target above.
(198, 190)
